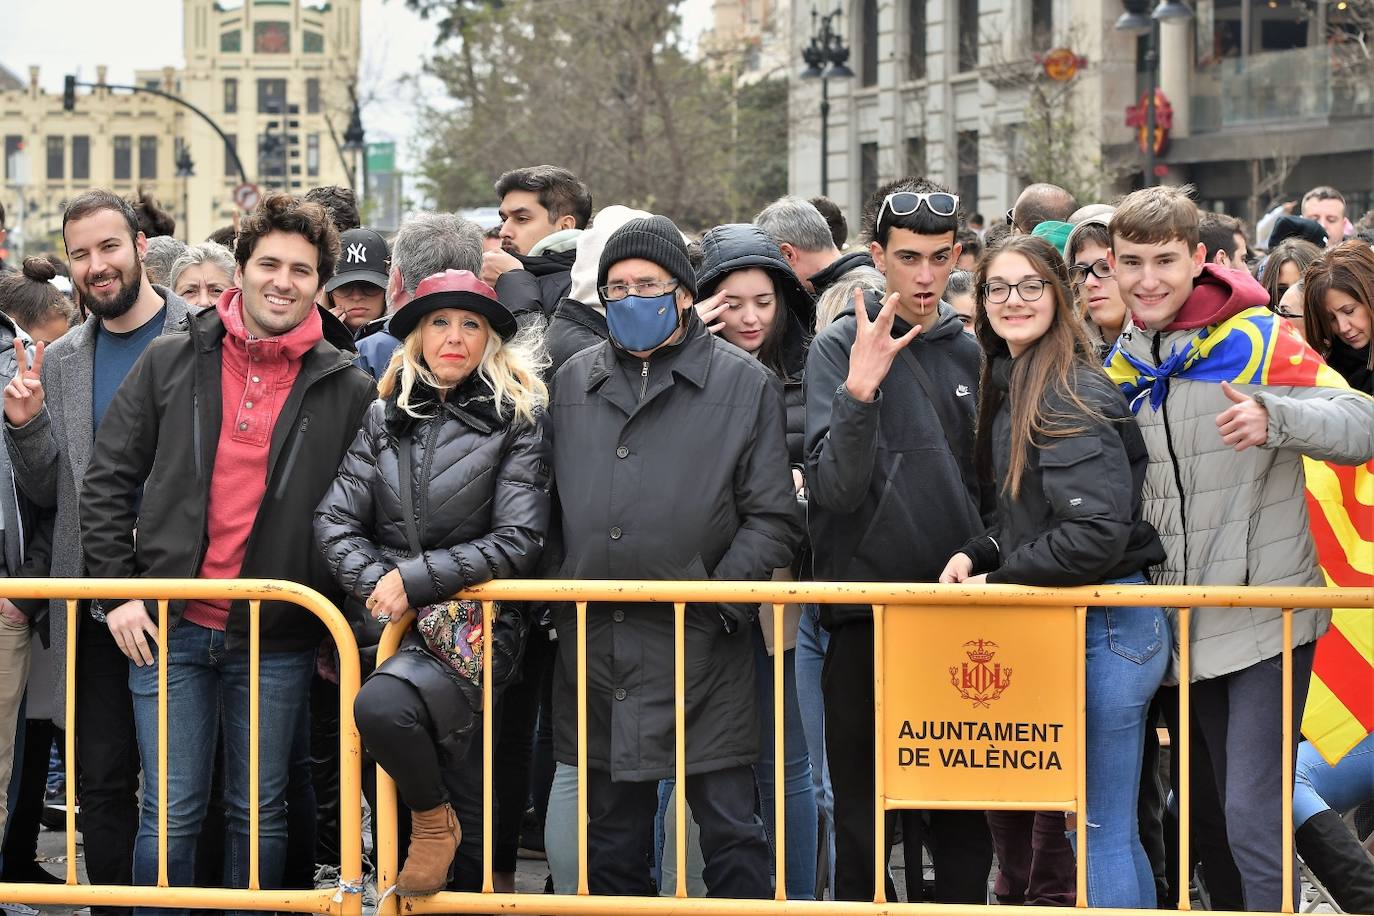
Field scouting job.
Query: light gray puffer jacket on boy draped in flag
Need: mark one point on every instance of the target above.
(1240, 518)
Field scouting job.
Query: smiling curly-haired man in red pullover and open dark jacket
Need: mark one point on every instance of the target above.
(219, 446)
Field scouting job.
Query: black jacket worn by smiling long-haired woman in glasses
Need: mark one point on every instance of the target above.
(1078, 520)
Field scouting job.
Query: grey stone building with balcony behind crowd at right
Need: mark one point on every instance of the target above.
(1268, 98)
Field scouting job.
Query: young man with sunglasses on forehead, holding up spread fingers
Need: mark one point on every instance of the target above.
(891, 396)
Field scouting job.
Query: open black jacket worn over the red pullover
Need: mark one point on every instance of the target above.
(163, 432)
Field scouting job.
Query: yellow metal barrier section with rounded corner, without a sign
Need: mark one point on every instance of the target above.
(341, 902)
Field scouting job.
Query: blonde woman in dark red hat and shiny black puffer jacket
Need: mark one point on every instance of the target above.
(446, 487)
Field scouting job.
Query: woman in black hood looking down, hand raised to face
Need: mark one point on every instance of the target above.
(751, 297)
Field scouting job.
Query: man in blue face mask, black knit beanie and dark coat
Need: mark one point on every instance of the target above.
(664, 403)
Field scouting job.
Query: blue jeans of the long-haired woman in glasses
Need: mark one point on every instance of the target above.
(1127, 654)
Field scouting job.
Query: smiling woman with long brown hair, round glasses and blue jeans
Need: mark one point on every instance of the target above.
(1060, 444)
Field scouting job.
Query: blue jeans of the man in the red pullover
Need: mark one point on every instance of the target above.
(208, 685)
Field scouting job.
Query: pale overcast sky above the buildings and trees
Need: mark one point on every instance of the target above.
(148, 35)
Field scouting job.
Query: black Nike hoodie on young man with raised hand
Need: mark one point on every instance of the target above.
(890, 499)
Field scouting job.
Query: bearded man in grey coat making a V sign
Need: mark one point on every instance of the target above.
(53, 411)
